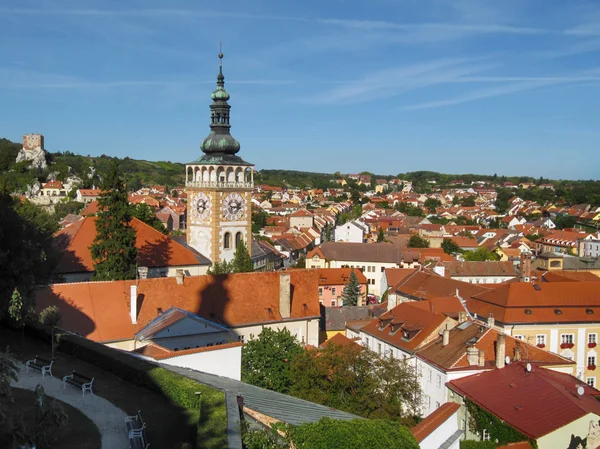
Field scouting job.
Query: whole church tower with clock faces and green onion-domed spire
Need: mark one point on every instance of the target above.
(219, 187)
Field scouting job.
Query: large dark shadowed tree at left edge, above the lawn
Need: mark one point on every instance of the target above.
(27, 256)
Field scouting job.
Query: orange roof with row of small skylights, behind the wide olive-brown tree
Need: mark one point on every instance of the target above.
(391, 326)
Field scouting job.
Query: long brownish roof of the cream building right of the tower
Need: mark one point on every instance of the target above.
(362, 252)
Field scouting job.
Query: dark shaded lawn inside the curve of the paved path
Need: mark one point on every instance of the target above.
(79, 433)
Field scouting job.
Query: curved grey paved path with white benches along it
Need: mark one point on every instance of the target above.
(109, 419)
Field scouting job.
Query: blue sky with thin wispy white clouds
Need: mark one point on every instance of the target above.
(458, 86)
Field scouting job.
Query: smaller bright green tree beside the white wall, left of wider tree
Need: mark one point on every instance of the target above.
(267, 360)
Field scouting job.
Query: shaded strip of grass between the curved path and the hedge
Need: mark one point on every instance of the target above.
(168, 424)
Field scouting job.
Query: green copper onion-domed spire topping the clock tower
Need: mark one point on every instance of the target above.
(220, 146)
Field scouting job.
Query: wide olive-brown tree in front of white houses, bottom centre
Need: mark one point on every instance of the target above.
(358, 381)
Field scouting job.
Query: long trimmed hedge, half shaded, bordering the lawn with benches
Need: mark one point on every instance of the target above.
(212, 433)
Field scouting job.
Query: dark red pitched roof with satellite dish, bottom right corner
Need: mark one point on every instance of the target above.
(513, 395)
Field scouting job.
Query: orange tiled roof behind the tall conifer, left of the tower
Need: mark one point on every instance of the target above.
(154, 248)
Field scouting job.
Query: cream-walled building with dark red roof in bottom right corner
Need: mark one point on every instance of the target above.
(550, 408)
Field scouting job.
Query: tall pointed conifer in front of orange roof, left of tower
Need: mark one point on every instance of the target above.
(114, 251)
